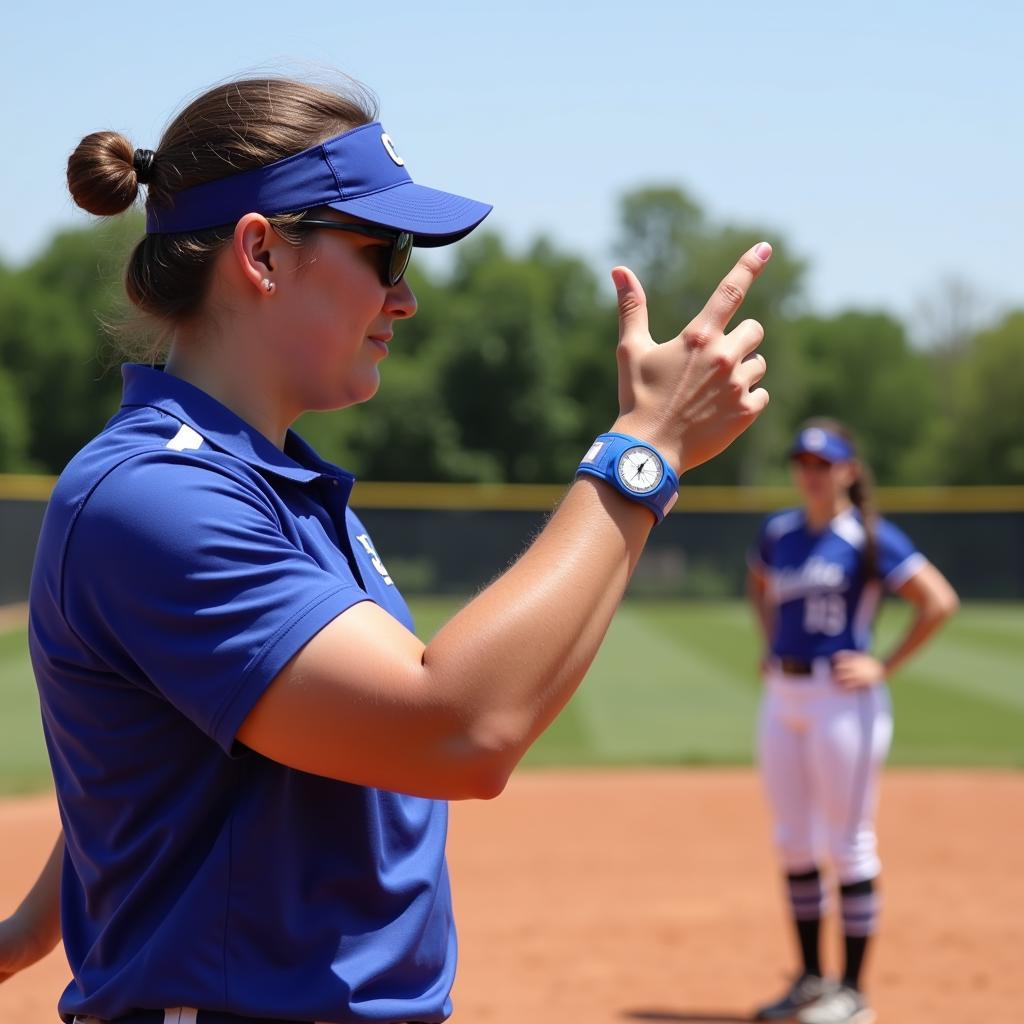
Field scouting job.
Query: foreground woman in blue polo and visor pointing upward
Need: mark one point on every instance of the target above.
(251, 748)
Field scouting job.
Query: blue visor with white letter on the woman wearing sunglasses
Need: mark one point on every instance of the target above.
(359, 174)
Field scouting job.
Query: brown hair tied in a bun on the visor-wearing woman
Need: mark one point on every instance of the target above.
(231, 129)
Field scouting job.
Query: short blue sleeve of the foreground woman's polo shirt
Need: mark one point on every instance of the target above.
(180, 575)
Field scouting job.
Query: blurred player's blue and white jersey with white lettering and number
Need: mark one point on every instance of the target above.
(825, 601)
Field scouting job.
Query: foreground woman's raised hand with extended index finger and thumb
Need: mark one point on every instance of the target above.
(694, 396)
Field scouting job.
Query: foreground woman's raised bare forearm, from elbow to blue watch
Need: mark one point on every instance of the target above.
(516, 655)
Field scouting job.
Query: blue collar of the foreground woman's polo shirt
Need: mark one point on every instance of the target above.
(222, 429)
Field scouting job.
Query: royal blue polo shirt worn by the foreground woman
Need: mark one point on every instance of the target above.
(183, 562)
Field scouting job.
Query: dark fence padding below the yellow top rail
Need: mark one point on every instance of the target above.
(694, 553)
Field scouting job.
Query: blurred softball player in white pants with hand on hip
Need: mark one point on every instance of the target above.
(816, 582)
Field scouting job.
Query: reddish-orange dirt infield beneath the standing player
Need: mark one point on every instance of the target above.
(605, 898)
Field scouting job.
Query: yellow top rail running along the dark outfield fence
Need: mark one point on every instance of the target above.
(543, 497)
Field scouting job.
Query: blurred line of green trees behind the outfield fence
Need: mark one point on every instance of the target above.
(508, 370)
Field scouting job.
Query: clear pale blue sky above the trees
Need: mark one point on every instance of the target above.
(882, 141)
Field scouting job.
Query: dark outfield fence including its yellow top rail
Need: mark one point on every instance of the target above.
(452, 539)
